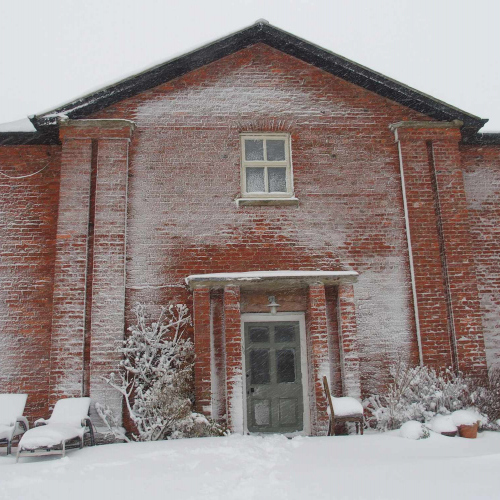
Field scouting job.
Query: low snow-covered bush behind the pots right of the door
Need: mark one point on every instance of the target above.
(417, 393)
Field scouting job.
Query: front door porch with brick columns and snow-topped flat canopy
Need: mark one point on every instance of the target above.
(209, 346)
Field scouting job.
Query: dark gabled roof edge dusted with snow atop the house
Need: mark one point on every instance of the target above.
(260, 32)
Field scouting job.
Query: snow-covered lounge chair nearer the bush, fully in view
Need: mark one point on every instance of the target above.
(69, 421)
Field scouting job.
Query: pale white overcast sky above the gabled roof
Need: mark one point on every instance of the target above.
(53, 51)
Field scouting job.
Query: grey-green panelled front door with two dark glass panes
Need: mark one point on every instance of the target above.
(273, 377)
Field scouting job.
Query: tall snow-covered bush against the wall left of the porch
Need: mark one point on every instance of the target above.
(155, 378)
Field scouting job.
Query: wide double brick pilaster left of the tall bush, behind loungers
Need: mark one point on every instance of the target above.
(99, 280)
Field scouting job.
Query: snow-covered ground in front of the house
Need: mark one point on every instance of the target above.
(374, 466)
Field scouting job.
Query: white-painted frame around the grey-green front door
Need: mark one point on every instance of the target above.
(284, 316)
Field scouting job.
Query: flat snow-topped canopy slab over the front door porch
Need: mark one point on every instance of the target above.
(276, 278)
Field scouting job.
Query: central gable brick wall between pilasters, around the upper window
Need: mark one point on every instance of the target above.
(185, 175)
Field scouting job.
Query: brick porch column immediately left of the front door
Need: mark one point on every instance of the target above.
(234, 359)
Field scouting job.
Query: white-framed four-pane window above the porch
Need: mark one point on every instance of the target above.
(266, 167)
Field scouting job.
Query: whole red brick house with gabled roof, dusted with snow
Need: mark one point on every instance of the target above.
(257, 170)
